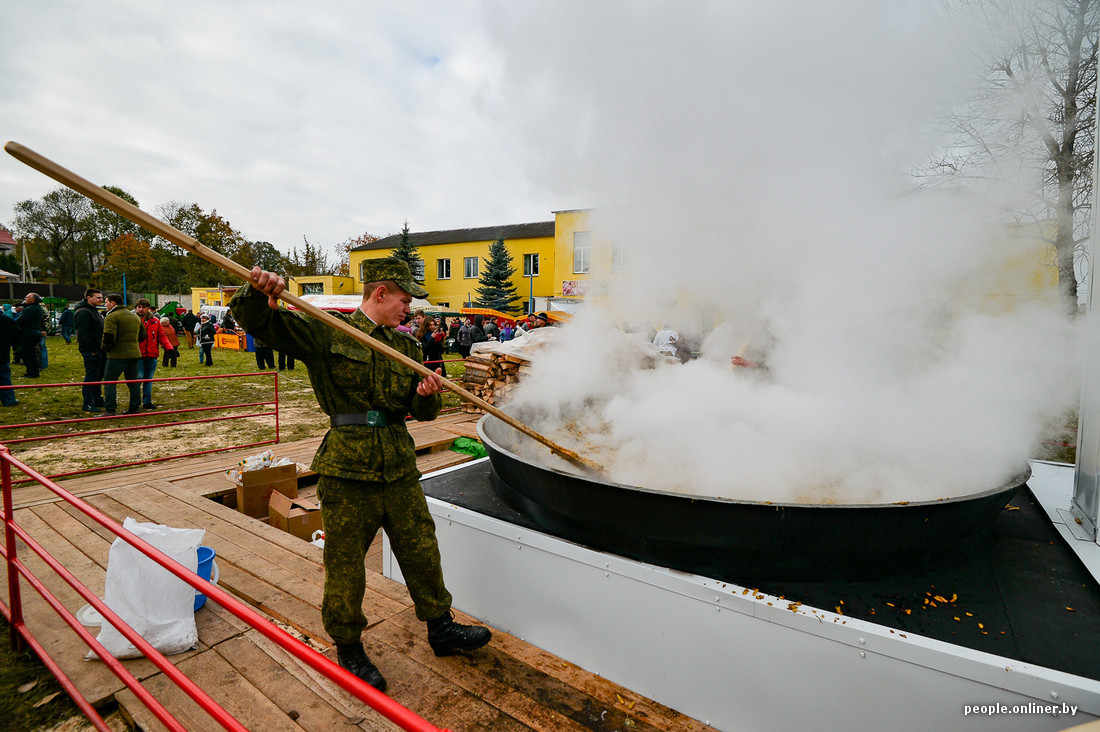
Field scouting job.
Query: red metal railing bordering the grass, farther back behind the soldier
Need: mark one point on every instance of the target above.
(111, 419)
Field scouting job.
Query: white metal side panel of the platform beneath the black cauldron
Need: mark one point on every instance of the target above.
(716, 653)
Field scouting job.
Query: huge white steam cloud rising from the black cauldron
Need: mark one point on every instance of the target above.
(754, 162)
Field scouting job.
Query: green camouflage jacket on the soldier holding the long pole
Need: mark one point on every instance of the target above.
(349, 378)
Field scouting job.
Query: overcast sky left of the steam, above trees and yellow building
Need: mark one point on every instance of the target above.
(323, 119)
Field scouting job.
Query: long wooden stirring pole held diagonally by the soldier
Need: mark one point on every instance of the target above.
(124, 209)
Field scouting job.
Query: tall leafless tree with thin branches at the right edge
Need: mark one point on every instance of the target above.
(1035, 118)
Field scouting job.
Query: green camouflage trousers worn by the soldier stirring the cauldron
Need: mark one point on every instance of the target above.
(354, 511)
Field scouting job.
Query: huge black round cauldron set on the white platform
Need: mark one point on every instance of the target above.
(741, 541)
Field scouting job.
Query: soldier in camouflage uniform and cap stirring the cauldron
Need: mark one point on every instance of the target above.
(367, 463)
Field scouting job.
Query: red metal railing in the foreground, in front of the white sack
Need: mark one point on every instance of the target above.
(21, 635)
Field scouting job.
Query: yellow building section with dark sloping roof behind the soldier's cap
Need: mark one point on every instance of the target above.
(455, 259)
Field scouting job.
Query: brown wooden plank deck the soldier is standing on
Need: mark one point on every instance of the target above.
(508, 686)
